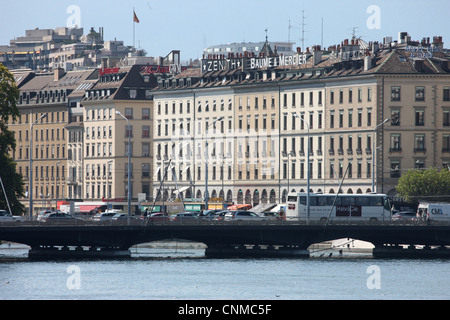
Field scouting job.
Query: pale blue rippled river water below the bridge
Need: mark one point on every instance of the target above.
(185, 274)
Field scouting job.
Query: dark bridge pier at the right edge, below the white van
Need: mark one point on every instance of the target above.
(398, 251)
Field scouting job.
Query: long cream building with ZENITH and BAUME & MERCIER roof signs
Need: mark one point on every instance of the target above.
(335, 102)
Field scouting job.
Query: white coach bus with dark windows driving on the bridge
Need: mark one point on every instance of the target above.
(347, 207)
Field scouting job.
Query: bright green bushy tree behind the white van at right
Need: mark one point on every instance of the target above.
(425, 185)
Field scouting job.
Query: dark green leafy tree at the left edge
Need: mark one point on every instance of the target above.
(12, 181)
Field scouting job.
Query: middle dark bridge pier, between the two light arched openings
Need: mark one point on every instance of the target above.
(256, 251)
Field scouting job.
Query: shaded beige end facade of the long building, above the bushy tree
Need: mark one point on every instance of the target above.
(418, 104)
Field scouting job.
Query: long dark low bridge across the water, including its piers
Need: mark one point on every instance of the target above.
(262, 238)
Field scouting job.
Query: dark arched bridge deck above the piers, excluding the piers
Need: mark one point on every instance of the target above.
(123, 237)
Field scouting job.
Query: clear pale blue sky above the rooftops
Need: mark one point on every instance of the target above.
(191, 26)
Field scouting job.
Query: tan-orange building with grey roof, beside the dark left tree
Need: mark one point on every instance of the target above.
(46, 102)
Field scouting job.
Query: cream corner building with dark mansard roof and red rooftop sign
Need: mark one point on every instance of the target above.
(117, 113)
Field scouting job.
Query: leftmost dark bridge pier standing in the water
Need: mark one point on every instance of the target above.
(54, 252)
